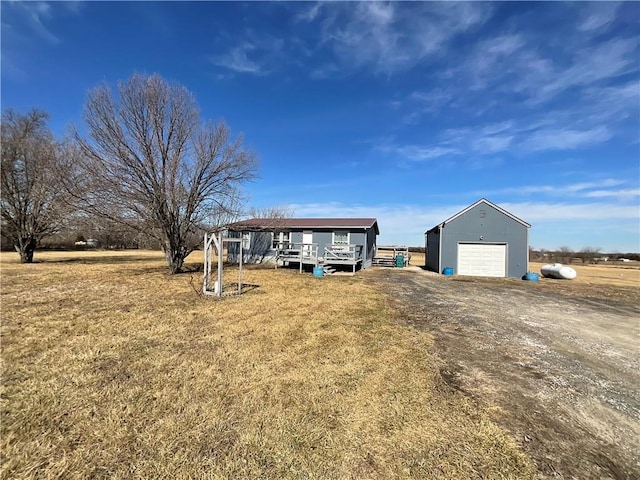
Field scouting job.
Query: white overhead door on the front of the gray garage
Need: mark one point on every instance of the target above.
(481, 259)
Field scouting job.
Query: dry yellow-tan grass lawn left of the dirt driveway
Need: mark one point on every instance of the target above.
(113, 369)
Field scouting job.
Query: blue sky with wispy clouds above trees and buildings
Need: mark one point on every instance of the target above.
(408, 112)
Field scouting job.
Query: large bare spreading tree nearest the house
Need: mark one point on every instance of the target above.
(149, 162)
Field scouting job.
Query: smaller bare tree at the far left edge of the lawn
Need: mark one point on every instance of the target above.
(32, 198)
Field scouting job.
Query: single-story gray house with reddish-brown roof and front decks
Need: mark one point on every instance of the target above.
(311, 241)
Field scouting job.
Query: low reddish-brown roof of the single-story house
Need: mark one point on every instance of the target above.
(257, 224)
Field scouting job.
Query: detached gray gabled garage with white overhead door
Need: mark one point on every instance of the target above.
(481, 240)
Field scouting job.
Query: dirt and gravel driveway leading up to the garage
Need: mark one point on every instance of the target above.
(557, 364)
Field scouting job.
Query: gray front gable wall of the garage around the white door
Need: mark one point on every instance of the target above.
(485, 224)
